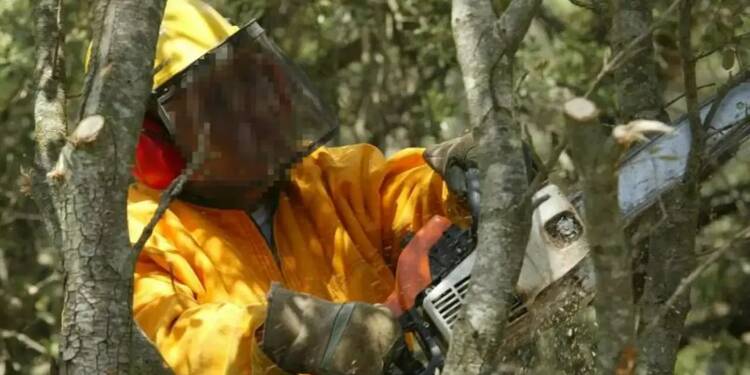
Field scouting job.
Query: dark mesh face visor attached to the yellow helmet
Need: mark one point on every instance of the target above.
(255, 111)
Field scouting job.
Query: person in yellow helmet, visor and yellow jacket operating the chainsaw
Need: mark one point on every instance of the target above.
(266, 205)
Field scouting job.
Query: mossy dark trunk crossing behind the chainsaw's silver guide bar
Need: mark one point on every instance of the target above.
(662, 255)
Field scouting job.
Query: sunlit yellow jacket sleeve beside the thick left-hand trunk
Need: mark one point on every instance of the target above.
(197, 330)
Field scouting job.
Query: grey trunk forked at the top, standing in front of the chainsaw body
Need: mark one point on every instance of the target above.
(485, 48)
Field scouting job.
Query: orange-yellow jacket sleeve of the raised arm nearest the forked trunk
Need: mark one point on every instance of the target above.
(361, 204)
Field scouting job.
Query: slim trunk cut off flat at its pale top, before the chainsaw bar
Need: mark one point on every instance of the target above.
(596, 154)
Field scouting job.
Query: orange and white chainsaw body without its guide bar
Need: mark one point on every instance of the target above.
(554, 247)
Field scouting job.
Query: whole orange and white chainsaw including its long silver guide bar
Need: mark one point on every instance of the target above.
(434, 269)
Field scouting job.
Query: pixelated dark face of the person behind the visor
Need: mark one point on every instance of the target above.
(237, 109)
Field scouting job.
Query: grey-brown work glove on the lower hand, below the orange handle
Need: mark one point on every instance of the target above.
(305, 334)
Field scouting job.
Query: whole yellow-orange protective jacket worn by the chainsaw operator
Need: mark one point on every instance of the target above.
(202, 278)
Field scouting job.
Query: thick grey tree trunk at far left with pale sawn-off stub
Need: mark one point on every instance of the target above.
(86, 187)
